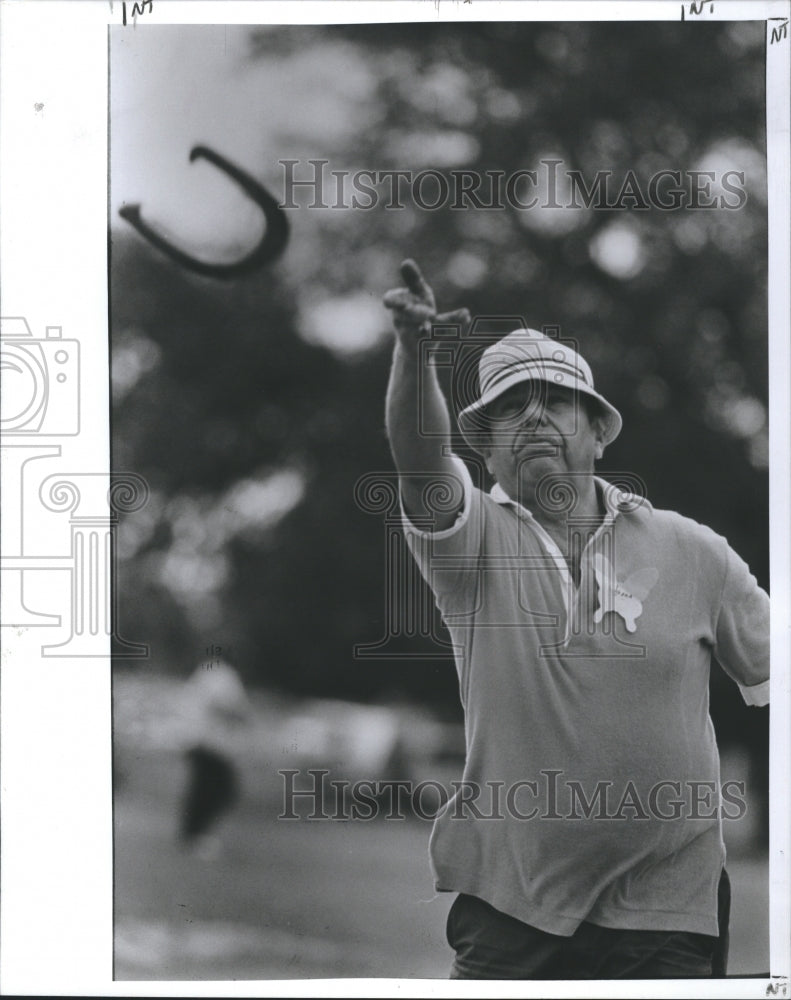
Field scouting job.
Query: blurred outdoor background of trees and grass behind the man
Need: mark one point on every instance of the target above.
(258, 570)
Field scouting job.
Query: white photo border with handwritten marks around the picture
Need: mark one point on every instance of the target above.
(57, 875)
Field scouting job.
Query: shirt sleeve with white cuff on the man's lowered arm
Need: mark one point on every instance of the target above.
(742, 631)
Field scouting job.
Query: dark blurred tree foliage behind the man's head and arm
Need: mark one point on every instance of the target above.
(254, 409)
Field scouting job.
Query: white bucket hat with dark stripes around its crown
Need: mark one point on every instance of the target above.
(527, 356)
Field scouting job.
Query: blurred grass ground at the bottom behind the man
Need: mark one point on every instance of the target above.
(300, 899)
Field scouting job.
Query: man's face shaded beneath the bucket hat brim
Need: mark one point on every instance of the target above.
(539, 429)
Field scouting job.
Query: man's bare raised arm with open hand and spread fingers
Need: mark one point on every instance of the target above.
(414, 399)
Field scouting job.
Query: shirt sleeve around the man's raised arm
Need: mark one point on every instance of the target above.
(447, 558)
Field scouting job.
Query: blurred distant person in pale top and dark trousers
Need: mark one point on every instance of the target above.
(216, 714)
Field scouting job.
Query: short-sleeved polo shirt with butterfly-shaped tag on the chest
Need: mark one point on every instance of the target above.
(591, 788)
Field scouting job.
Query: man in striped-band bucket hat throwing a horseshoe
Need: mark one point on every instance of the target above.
(584, 841)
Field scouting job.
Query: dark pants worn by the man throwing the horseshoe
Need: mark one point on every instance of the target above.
(491, 945)
